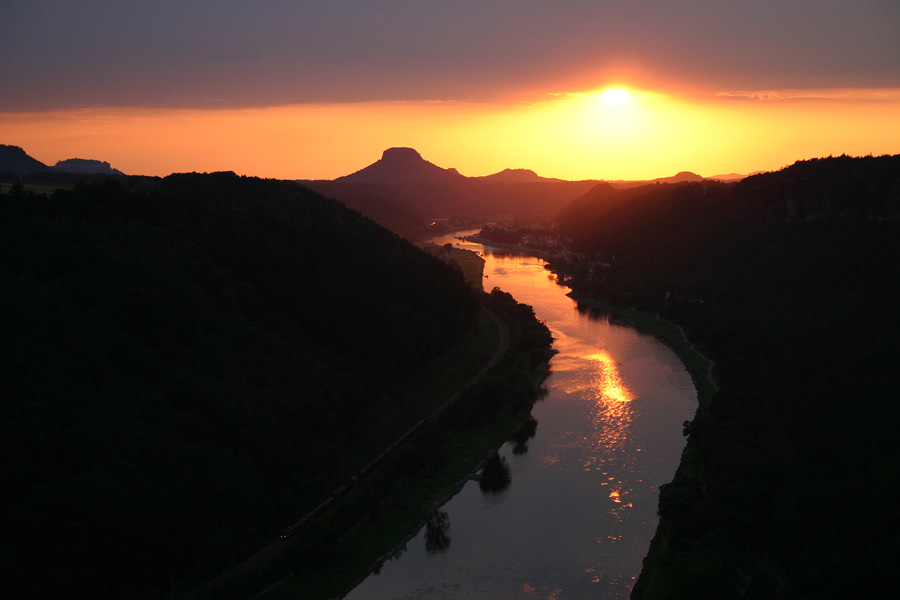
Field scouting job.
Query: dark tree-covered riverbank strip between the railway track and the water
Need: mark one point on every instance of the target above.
(375, 520)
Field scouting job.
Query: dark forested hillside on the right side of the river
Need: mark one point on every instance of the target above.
(789, 486)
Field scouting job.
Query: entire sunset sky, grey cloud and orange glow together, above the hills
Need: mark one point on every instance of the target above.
(575, 89)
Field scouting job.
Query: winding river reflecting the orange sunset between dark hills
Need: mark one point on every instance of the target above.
(579, 511)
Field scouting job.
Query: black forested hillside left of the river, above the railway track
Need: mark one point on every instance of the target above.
(183, 366)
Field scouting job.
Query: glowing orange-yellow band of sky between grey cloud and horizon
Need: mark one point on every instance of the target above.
(640, 134)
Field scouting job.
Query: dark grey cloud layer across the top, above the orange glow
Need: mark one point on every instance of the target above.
(189, 53)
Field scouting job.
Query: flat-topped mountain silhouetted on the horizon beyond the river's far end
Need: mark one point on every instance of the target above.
(404, 166)
